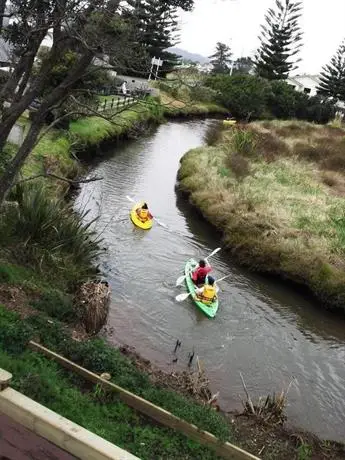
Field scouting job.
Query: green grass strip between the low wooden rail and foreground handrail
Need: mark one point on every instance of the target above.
(44, 382)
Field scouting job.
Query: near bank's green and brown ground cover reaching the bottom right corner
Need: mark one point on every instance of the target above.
(101, 412)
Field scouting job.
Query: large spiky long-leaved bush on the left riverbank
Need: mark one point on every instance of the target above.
(47, 231)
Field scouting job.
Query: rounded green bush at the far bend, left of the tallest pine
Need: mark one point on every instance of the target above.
(244, 95)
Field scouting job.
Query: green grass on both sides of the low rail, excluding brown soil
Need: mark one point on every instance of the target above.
(48, 384)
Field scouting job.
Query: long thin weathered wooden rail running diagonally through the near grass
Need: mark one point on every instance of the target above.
(165, 418)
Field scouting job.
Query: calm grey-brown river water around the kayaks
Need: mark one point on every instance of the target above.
(263, 328)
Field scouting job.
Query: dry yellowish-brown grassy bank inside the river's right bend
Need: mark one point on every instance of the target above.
(276, 191)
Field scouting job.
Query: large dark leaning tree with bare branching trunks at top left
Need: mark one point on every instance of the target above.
(90, 29)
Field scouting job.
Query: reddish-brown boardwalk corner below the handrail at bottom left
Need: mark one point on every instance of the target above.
(18, 443)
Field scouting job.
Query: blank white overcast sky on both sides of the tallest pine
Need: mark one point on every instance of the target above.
(237, 23)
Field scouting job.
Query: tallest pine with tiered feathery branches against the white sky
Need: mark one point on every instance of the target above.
(280, 41)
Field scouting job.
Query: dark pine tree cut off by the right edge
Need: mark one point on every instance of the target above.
(332, 79)
